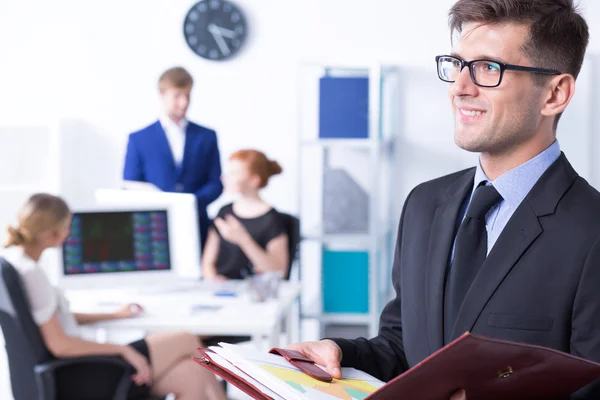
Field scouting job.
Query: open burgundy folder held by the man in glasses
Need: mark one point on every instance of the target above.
(488, 369)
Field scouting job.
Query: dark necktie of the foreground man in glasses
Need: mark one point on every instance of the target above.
(470, 251)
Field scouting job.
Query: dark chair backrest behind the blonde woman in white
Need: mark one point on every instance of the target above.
(24, 345)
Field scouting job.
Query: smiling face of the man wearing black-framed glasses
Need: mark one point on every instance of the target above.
(494, 120)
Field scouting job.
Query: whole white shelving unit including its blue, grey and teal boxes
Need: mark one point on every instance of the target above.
(365, 165)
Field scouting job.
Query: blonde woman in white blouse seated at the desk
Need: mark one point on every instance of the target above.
(162, 362)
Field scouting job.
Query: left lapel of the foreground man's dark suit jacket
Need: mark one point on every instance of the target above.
(438, 255)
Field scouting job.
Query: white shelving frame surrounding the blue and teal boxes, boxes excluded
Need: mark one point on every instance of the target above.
(369, 163)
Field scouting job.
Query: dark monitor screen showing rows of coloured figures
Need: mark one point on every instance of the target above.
(117, 241)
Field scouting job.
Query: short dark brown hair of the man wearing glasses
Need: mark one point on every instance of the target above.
(558, 34)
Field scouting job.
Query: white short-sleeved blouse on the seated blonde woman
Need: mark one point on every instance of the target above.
(44, 299)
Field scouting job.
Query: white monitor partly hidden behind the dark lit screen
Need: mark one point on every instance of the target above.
(184, 234)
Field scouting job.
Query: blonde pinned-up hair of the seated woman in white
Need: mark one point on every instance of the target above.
(40, 213)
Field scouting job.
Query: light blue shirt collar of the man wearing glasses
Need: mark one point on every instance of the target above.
(514, 185)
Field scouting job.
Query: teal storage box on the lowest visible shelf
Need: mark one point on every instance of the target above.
(345, 281)
